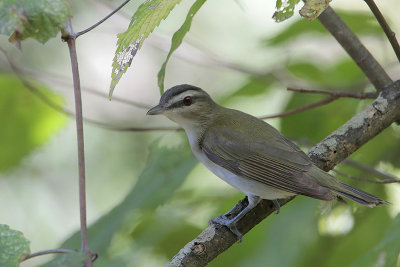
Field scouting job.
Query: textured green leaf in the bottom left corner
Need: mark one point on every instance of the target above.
(13, 246)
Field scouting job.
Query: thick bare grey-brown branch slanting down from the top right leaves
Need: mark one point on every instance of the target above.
(349, 41)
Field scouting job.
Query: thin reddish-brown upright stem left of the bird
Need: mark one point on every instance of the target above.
(69, 36)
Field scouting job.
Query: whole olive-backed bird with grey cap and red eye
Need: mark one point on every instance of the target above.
(250, 154)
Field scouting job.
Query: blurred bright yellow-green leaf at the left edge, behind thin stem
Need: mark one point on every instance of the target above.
(26, 122)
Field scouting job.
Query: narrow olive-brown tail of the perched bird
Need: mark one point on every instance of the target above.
(357, 195)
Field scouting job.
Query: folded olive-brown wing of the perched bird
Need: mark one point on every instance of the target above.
(274, 162)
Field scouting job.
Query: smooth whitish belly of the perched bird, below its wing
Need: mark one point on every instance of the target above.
(246, 185)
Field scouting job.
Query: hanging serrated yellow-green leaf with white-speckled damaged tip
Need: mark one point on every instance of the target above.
(146, 18)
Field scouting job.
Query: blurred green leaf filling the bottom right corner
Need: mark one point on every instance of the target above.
(387, 252)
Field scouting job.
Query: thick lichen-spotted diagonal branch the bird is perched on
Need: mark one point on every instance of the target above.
(332, 150)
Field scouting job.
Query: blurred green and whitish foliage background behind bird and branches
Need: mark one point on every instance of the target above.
(147, 195)
